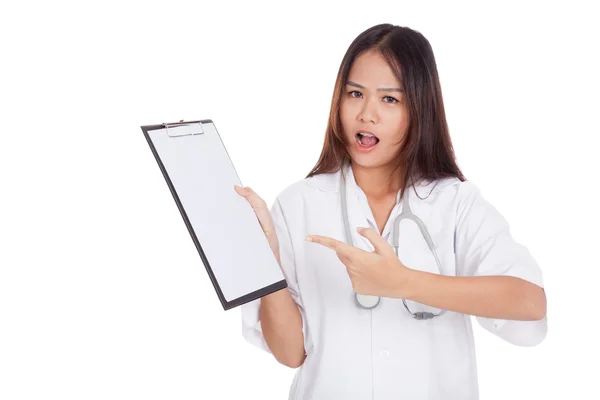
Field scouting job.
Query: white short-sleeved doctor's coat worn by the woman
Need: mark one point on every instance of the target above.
(383, 353)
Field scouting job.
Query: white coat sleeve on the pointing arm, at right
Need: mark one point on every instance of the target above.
(484, 246)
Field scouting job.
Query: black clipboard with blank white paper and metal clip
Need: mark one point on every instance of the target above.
(222, 224)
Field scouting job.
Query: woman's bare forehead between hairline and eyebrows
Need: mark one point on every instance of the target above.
(371, 69)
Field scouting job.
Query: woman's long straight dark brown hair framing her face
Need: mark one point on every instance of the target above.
(427, 152)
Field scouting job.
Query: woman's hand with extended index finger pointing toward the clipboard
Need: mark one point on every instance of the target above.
(377, 273)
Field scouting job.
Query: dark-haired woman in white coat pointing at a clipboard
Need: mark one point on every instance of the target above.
(386, 248)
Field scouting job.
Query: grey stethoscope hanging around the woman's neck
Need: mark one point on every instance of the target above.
(369, 302)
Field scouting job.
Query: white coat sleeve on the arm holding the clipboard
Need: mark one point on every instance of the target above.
(251, 326)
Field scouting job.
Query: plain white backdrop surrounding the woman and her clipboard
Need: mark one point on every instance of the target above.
(102, 292)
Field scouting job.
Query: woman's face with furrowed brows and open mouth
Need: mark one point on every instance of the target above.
(373, 102)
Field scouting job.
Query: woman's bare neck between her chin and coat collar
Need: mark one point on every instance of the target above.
(378, 183)
